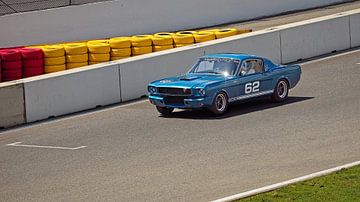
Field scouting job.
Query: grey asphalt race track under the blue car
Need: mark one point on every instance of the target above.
(133, 154)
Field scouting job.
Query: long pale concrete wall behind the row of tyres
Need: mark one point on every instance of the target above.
(125, 17)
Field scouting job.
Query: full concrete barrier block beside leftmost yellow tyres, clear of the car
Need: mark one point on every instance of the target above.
(71, 91)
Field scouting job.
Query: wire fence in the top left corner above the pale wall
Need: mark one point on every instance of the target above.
(18, 6)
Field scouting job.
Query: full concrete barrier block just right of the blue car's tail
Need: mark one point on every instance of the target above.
(314, 37)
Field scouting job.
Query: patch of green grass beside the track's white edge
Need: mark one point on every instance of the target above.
(343, 185)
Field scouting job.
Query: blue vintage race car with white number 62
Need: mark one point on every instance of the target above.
(216, 80)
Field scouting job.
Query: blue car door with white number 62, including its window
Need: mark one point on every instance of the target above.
(253, 81)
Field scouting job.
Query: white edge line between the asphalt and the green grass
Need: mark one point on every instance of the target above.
(285, 183)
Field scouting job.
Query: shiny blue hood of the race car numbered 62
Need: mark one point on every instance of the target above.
(189, 81)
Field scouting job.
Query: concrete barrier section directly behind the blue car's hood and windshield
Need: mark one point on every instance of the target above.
(137, 73)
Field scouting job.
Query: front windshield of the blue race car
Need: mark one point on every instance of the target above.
(223, 66)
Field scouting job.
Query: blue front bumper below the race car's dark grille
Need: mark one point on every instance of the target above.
(188, 103)
